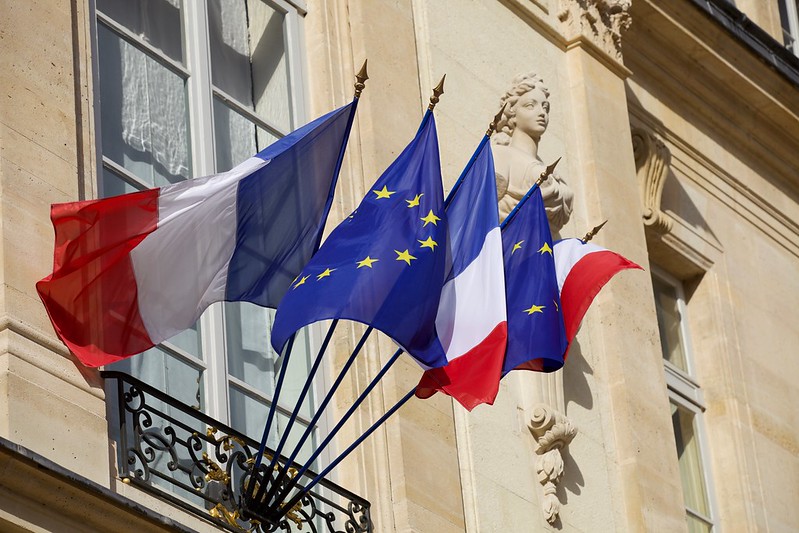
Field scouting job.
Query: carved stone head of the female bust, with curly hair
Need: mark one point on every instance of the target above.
(527, 110)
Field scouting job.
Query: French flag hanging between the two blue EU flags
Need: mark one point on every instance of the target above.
(471, 322)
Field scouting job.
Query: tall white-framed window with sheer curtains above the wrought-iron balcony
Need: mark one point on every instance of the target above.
(189, 88)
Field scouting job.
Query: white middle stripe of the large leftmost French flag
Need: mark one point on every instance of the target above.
(181, 267)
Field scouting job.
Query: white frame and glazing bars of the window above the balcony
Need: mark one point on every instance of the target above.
(200, 94)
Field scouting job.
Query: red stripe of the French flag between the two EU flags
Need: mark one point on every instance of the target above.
(472, 378)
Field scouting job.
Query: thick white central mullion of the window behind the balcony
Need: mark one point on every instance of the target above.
(203, 164)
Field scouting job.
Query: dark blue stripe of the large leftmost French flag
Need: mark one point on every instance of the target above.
(282, 207)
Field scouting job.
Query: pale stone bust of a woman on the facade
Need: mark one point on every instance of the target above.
(519, 131)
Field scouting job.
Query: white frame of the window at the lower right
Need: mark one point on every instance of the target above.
(685, 392)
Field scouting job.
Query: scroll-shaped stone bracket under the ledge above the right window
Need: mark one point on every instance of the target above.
(652, 160)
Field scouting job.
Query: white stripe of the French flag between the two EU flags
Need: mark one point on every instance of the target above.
(473, 304)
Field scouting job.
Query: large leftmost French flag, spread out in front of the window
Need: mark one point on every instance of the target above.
(133, 270)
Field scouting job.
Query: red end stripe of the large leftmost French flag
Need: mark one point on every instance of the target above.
(91, 295)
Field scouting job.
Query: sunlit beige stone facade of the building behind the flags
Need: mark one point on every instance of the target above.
(669, 127)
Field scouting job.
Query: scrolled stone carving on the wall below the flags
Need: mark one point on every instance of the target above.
(552, 432)
